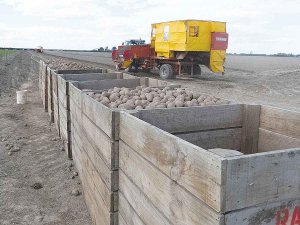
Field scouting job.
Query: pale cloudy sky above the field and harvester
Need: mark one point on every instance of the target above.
(257, 26)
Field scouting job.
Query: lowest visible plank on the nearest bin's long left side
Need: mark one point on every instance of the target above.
(128, 215)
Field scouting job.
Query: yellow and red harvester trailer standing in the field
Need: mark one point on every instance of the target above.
(177, 47)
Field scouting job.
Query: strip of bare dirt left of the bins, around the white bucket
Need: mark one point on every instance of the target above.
(35, 175)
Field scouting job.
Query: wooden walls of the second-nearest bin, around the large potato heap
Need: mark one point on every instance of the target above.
(95, 144)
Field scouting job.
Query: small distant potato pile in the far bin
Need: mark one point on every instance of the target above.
(61, 64)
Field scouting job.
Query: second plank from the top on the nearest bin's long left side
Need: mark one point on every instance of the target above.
(175, 202)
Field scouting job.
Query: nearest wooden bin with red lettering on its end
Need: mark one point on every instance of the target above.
(176, 166)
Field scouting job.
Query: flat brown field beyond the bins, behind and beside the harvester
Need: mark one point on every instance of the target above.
(271, 81)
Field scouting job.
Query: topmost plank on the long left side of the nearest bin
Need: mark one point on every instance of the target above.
(176, 158)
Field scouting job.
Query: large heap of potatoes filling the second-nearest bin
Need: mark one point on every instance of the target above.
(143, 97)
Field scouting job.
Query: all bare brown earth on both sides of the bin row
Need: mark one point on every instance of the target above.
(39, 159)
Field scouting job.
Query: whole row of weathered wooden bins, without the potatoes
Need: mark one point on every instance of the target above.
(228, 164)
